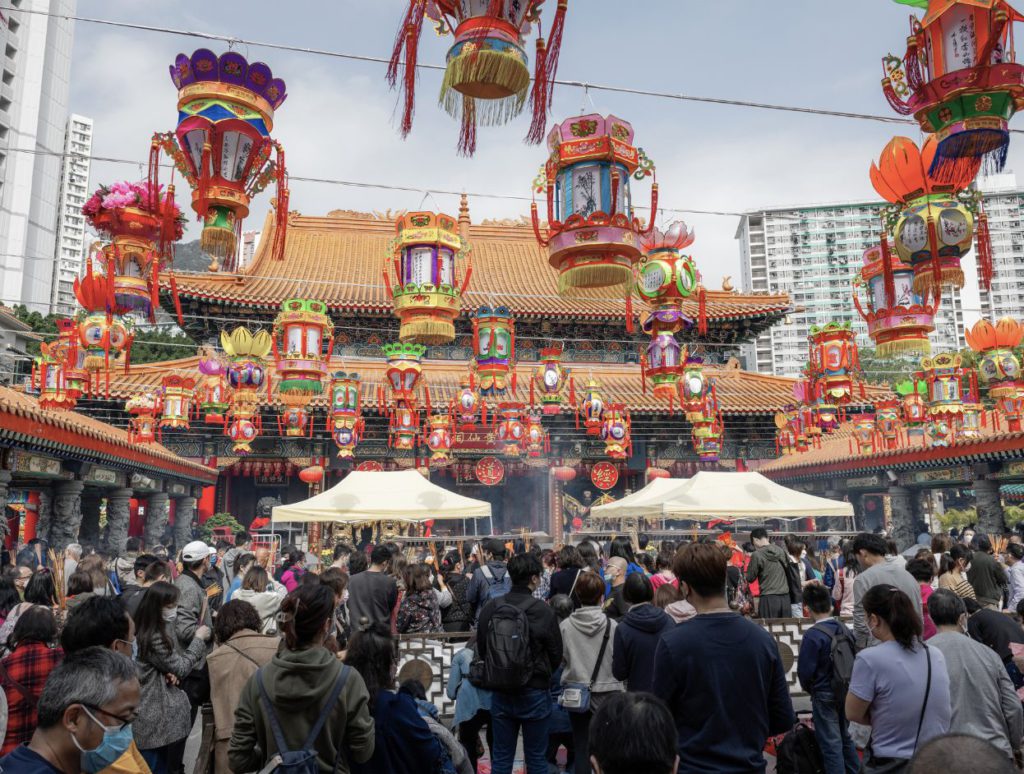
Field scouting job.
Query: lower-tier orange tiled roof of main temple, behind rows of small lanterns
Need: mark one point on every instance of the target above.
(739, 392)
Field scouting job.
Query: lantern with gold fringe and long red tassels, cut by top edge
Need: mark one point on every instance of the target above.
(487, 73)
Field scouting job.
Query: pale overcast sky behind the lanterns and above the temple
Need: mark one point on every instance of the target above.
(338, 120)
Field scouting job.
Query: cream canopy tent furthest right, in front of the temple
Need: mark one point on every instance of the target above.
(746, 496)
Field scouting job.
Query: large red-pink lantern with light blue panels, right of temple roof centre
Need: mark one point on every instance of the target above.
(592, 236)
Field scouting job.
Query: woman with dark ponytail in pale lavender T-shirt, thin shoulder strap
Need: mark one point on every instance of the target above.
(901, 687)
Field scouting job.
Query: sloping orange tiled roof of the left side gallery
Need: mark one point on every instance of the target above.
(21, 415)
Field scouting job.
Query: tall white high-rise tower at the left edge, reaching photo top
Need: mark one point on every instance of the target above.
(35, 76)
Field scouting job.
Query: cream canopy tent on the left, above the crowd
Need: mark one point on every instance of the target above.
(383, 496)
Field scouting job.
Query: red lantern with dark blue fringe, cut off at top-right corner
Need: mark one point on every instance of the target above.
(959, 79)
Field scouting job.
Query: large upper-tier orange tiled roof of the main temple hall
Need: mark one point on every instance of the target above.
(339, 260)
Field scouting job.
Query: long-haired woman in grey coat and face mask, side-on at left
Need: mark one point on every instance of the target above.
(164, 719)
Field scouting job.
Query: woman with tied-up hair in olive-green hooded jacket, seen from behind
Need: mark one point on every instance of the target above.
(303, 682)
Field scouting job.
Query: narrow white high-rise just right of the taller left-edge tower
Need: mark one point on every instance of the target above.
(72, 240)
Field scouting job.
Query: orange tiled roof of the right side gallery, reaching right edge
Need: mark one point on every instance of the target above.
(837, 456)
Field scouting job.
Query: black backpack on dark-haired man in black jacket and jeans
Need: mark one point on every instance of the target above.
(509, 662)
